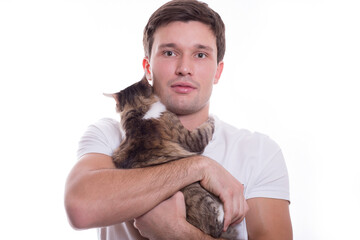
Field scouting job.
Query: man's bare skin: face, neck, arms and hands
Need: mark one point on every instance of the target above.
(183, 69)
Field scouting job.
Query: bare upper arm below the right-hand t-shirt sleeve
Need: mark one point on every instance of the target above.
(268, 219)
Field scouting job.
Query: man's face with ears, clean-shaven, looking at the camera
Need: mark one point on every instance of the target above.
(183, 66)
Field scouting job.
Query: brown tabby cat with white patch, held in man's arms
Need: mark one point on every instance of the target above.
(154, 135)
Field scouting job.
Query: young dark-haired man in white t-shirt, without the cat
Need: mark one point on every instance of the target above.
(184, 44)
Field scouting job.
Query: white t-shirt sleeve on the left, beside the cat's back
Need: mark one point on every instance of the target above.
(102, 137)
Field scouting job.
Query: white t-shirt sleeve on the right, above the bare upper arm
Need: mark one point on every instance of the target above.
(271, 178)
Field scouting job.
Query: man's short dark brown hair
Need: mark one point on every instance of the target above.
(184, 11)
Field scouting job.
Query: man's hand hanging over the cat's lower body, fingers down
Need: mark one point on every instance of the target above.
(230, 191)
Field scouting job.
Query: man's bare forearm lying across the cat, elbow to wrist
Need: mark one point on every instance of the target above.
(98, 197)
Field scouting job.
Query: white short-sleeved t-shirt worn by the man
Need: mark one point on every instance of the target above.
(253, 158)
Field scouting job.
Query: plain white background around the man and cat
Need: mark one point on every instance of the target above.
(291, 72)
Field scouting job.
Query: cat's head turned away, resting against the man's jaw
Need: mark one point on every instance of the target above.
(136, 96)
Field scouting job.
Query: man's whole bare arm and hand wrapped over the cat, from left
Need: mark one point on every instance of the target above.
(97, 194)
